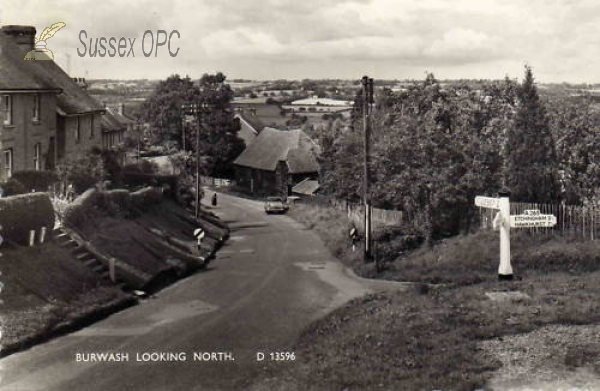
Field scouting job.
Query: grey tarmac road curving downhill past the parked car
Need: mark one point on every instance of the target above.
(271, 279)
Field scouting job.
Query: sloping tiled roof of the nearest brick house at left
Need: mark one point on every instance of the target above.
(18, 74)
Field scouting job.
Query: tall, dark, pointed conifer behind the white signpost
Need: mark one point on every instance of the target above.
(531, 169)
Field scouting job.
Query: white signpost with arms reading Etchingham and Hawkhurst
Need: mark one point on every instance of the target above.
(504, 222)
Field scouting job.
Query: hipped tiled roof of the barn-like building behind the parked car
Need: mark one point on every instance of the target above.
(273, 145)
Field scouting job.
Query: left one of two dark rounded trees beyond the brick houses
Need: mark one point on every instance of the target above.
(162, 110)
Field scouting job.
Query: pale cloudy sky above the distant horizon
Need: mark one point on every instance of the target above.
(334, 39)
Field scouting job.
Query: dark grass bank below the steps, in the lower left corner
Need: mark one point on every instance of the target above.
(46, 291)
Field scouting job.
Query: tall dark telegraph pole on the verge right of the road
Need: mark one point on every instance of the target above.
(367, 106)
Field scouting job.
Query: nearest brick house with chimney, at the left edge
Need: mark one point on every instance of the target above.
(45, 117)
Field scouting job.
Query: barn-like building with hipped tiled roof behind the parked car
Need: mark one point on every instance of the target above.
(276, 161)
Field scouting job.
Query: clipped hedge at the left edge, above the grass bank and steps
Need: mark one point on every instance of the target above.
(22, 213)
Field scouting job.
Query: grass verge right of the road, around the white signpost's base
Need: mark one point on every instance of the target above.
(461, 328)
